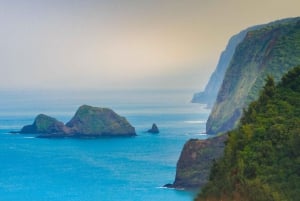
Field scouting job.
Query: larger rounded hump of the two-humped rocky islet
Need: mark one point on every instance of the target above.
(94, 121)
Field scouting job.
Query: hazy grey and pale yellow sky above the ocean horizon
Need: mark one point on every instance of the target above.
(122, 43)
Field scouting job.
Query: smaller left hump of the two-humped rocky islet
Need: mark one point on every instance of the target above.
(44, 124)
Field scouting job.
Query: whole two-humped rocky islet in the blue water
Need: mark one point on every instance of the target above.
(88, 121)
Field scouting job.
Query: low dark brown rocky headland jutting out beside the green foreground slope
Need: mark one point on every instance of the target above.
(196, 160)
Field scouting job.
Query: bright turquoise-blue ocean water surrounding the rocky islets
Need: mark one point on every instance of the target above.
(109, 169)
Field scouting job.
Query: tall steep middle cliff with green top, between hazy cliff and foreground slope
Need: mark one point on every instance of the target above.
(272, 50)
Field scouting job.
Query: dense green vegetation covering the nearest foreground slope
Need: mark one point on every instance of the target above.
(262, 155)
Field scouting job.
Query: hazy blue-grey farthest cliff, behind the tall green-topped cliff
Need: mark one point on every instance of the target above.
(209, 95)
